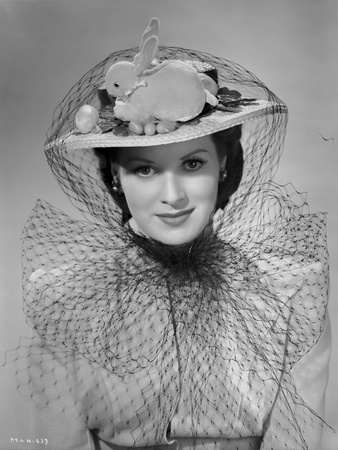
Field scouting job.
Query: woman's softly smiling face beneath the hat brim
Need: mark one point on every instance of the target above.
(171, 190)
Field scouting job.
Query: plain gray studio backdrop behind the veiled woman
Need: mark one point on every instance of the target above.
(47, 45)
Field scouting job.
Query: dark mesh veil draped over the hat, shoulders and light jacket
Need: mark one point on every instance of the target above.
(197, 342)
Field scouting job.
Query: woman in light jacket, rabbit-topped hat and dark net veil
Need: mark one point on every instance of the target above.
(189, 309)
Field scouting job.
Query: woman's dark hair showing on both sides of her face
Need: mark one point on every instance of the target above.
(227, 143)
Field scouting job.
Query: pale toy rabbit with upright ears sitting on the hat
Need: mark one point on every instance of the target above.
(149, 92)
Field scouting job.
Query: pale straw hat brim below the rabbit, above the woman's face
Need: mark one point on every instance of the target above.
(211, 123)
